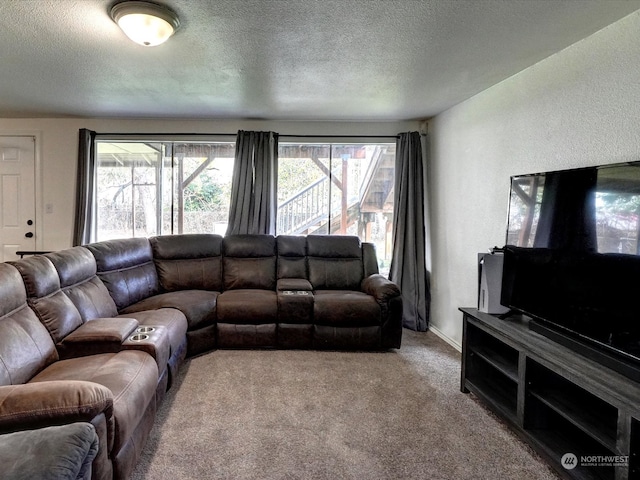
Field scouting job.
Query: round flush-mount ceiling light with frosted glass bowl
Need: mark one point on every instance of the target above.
(146, 23)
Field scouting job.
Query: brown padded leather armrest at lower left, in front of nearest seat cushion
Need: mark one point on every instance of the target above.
(41, 404)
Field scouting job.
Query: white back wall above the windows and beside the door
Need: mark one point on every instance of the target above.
(57, 144)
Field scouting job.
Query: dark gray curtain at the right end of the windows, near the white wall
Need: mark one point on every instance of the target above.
(408, 264)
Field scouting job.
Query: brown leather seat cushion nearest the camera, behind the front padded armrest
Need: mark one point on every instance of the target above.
(132, 377)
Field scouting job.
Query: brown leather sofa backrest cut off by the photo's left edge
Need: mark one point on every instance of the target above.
(25, 344)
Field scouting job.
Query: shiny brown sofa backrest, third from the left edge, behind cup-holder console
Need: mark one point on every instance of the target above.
(77, 272)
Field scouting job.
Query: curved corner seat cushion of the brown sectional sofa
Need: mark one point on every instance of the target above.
(199, 306)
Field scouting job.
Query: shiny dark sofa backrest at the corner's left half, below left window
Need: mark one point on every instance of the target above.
(126, 268)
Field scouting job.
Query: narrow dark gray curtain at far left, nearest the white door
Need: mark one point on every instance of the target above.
(85, 189)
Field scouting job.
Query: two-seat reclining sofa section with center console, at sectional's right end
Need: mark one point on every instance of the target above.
(328, 294)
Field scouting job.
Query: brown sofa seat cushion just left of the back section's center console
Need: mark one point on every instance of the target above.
(248, 306)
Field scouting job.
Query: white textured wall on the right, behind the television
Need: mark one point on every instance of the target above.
(579, 107)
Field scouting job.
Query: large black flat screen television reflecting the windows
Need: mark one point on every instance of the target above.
(572, 259)
